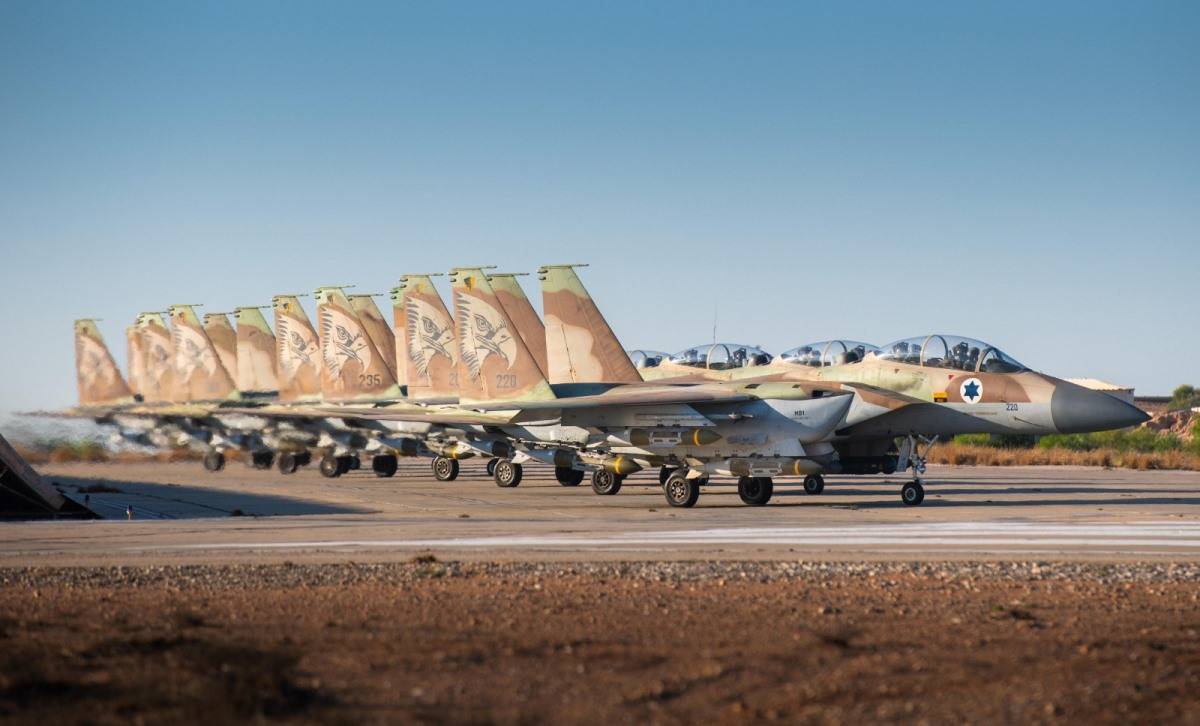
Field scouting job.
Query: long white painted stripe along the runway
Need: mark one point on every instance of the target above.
(952, 537)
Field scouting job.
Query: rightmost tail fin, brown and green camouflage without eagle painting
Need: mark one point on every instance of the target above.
(580, 345)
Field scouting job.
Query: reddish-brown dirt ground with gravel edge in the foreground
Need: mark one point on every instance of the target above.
(662, 643)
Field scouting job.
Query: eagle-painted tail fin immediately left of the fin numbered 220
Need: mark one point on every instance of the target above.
(430, 349)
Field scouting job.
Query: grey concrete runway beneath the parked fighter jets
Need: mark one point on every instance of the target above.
(184, 514)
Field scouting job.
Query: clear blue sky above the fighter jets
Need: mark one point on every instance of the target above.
(1027, 173)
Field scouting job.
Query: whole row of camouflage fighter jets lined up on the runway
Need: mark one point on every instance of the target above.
(496, 381)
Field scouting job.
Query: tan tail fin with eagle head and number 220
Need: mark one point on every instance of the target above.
(494, 362)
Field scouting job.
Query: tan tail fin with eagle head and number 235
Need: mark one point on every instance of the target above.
(353, 368)
